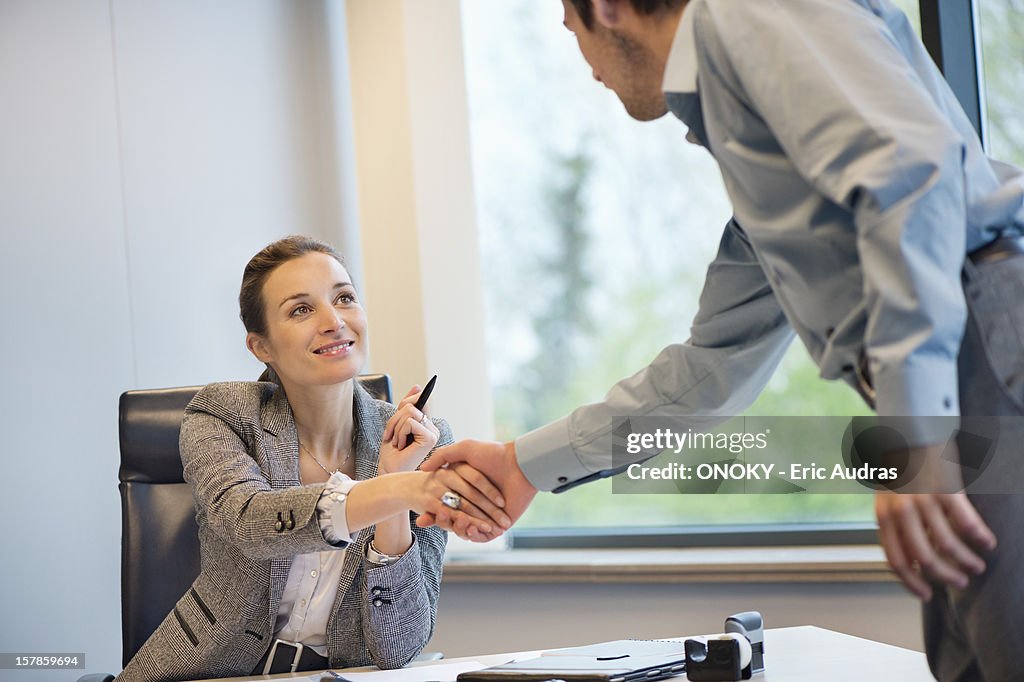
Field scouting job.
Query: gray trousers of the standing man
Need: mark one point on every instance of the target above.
(978, 633)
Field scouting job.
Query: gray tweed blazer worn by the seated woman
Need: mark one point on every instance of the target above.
(240, 451)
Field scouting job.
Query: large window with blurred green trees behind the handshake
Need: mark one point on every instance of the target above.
(596, 232)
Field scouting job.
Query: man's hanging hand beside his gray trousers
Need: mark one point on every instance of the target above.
(931, 538)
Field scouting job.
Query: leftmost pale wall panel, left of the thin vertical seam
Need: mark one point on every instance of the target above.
(67, 339)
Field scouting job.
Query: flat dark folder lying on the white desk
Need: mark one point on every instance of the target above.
(619, 661)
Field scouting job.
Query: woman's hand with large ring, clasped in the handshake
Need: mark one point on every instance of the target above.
(480, 515)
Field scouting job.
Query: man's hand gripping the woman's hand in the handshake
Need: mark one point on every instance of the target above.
(496, 461)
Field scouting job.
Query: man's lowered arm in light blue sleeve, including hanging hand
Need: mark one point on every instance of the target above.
(881, 137)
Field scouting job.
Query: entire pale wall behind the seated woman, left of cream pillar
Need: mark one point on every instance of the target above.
(148, 149)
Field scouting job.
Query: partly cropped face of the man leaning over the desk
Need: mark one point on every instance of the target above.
(623, 63)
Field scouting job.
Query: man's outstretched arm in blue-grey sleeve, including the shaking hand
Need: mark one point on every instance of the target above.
(738, 339)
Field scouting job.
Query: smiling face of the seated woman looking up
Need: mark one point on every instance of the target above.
(316, 328)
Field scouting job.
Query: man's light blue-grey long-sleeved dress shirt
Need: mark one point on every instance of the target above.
(859, 186)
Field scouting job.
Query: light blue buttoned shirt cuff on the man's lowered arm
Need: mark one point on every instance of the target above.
(924, 390)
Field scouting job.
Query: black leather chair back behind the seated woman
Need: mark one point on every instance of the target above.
(160, 539)
